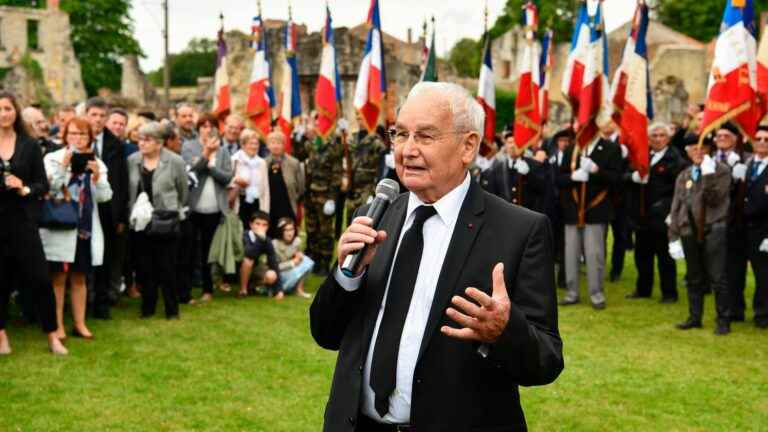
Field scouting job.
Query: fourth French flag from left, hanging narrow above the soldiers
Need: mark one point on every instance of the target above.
(328, 91)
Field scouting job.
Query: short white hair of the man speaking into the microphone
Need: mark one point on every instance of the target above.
(467, 113)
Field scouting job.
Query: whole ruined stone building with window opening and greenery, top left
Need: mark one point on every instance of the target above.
(35, 45)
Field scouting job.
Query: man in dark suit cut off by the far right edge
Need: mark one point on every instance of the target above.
(754, 216)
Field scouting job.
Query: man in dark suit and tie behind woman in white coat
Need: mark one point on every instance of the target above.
(113, 213)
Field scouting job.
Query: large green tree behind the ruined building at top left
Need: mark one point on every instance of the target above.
(102, 33)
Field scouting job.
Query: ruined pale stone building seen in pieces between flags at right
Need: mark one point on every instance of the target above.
(679, 68)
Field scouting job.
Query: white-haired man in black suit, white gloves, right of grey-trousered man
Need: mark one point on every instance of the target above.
(650, 198)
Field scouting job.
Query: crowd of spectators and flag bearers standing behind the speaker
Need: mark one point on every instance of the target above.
(104, 202)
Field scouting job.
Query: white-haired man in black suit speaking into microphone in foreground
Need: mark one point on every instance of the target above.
(403, 363)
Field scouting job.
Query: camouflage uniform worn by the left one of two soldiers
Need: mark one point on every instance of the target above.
(323, 167)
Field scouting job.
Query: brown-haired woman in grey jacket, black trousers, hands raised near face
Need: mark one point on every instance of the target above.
(211, 165)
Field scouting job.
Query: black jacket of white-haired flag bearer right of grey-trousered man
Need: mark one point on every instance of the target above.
(649, 204)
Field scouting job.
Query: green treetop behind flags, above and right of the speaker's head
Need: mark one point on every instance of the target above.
(555, 14)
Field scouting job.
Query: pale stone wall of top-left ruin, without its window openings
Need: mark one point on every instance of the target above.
(56, 57)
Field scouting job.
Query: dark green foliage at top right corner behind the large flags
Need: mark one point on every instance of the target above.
(698, 19)
